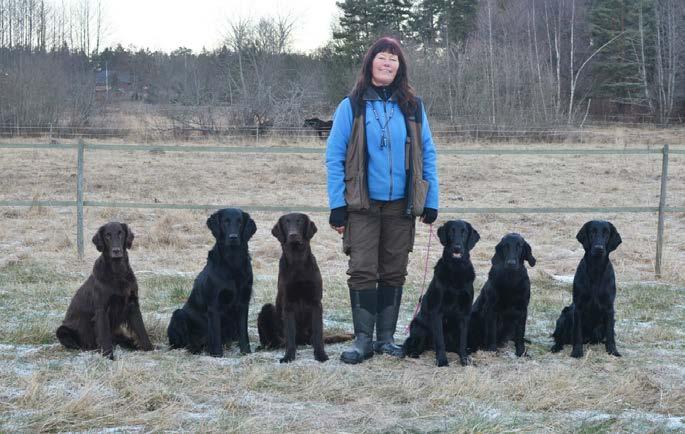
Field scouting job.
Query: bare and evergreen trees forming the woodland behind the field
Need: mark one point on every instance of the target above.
(499, 62)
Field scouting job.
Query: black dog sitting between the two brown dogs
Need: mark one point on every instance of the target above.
(216, 311)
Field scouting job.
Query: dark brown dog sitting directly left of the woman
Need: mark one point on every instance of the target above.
(297, 318)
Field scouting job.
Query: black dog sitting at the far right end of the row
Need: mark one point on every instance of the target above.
(590, 318)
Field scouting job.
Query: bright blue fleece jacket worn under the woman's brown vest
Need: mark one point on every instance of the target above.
(386, 173)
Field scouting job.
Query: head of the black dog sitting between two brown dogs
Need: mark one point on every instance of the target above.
(231, 227)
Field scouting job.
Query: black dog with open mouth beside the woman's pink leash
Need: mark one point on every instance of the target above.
(445, 308)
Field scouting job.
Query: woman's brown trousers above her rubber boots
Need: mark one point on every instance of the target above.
(378, 242)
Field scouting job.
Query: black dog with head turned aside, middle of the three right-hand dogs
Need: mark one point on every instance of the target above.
(501, 309)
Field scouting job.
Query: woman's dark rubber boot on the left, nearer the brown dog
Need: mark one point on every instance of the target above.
(363, 317)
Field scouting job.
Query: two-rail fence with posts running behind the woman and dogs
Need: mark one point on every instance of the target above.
(80, 202)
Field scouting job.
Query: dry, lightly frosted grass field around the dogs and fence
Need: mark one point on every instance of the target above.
(46, 388)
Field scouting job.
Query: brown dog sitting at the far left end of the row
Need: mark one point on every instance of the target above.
(107, 301)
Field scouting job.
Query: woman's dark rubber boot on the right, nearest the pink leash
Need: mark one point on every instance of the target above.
(389, 300)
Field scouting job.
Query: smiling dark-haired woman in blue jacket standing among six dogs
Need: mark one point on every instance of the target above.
(382, 174)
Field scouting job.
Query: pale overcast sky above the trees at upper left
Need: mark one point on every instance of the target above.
(169, 24)
